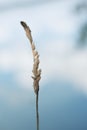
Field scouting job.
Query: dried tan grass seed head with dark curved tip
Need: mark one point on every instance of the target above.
(36, 71)
